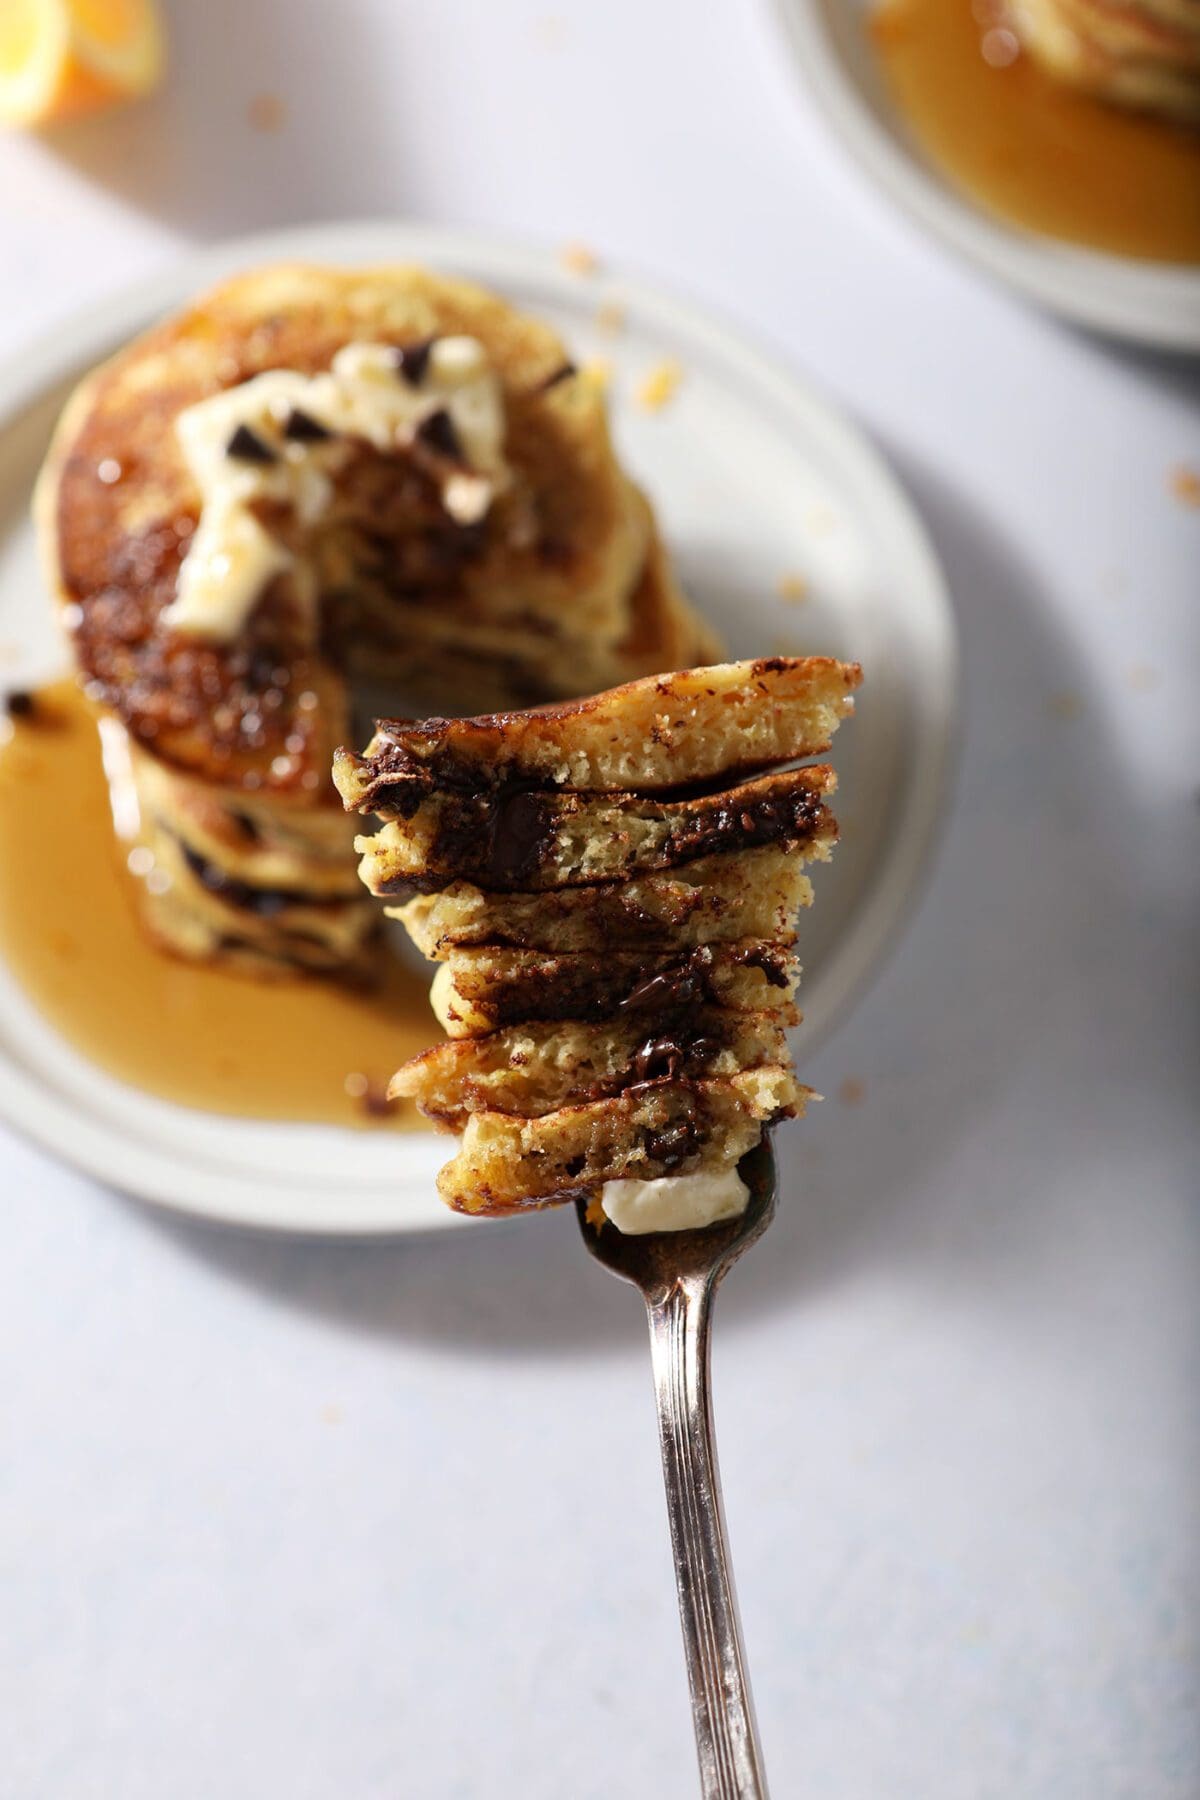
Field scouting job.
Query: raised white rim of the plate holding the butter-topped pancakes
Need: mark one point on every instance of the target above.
(152, 1176)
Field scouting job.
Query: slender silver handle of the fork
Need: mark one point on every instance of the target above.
(731, 1763)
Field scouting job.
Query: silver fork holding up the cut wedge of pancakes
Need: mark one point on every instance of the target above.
(677, 1273)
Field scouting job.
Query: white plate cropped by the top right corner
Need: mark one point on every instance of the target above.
(1149, 303)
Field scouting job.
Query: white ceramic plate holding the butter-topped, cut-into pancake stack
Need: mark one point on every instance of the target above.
(755, 478)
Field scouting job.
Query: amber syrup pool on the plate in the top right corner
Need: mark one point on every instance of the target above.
(1034, 150)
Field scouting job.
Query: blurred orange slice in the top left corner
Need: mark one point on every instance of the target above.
(60, 58)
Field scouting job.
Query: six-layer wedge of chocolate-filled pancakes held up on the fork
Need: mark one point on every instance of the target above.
(611, 890)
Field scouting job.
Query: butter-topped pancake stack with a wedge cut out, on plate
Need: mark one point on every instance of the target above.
(388, 561)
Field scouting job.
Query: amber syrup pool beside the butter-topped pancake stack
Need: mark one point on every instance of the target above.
(296, 1048)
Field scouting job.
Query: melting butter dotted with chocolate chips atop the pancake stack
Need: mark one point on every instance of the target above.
(364, 395)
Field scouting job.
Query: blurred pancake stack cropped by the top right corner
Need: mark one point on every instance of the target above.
(1136, 53)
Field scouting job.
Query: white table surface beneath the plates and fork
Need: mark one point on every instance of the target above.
(289, 1520)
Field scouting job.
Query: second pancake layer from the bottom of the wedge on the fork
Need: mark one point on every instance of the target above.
(532, 1070)
